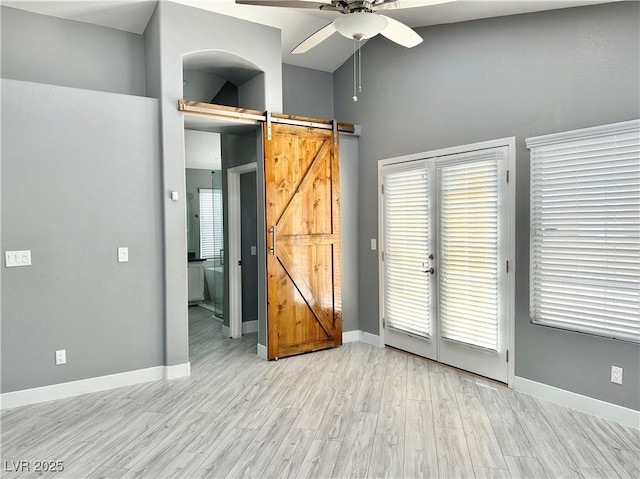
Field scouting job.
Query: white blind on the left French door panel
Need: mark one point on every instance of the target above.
(406, 250)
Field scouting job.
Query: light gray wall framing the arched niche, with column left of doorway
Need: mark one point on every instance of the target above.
(174, 31)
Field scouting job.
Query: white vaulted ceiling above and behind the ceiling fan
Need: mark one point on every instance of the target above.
(295, 24)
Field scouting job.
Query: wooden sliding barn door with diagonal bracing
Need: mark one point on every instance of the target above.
(303, 234)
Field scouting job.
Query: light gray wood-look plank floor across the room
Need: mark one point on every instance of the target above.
(354, 411)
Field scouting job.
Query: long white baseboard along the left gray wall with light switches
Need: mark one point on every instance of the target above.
(91, 385)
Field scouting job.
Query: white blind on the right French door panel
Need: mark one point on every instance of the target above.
(468, 266)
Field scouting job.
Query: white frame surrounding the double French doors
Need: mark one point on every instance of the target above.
(510, 143)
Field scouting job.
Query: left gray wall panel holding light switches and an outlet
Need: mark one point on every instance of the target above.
(79, 180)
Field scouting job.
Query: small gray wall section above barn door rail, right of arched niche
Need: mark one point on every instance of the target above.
(307, 92)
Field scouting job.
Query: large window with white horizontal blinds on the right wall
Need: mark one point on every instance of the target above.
(585, 230)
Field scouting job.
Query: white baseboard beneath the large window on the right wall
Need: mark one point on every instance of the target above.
(603, 409)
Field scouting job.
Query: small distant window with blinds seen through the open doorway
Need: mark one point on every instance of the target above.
(211, 238)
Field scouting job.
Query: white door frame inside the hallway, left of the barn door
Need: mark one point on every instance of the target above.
(234, 234)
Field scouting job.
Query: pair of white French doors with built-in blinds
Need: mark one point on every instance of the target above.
(445, 292)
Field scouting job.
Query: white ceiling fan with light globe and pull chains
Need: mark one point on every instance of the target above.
(358, 21)
